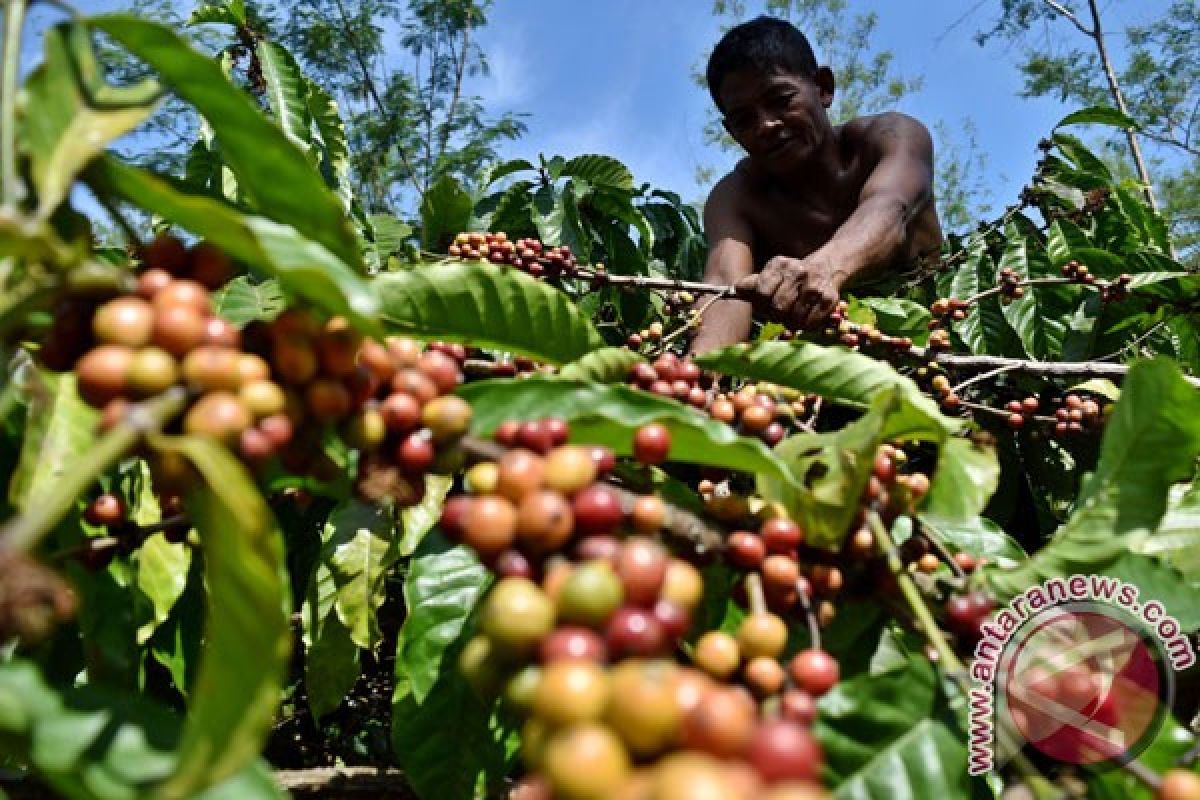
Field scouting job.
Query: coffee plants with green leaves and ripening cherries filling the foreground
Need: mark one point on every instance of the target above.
(292, 485)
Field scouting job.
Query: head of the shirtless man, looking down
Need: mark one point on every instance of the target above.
(766, 82)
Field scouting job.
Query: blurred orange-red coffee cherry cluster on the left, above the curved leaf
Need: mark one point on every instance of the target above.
(269, 390)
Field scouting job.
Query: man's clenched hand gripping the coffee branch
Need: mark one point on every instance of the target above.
(799, 293)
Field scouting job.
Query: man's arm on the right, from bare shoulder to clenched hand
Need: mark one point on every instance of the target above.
(805, 292)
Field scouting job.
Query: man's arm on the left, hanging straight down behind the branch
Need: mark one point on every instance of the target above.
(730, 260)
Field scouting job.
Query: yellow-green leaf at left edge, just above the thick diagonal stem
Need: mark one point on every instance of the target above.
(59, 426)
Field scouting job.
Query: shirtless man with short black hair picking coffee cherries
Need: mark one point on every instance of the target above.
(814, 208)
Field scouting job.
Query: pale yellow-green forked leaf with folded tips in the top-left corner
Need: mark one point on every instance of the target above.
(67, 125)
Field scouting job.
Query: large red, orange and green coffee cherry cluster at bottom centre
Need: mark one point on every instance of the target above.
(580, 636)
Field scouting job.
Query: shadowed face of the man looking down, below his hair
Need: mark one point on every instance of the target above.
(779, 119)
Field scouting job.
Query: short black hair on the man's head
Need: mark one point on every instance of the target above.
(765, 45)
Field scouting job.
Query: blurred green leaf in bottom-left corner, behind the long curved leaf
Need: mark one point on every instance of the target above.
(100, 744)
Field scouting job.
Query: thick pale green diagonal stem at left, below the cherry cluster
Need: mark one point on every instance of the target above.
(22, 533)
